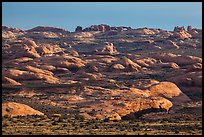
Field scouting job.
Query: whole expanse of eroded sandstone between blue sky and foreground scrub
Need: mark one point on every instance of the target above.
(100, 71)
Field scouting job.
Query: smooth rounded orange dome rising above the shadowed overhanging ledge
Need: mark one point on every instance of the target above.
(166, 89)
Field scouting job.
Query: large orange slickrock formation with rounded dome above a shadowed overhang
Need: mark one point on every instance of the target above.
(139, 102)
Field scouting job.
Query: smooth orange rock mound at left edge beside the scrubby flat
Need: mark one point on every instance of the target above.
(16, 109)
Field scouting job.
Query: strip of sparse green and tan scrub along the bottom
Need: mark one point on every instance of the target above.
(98, 127)
